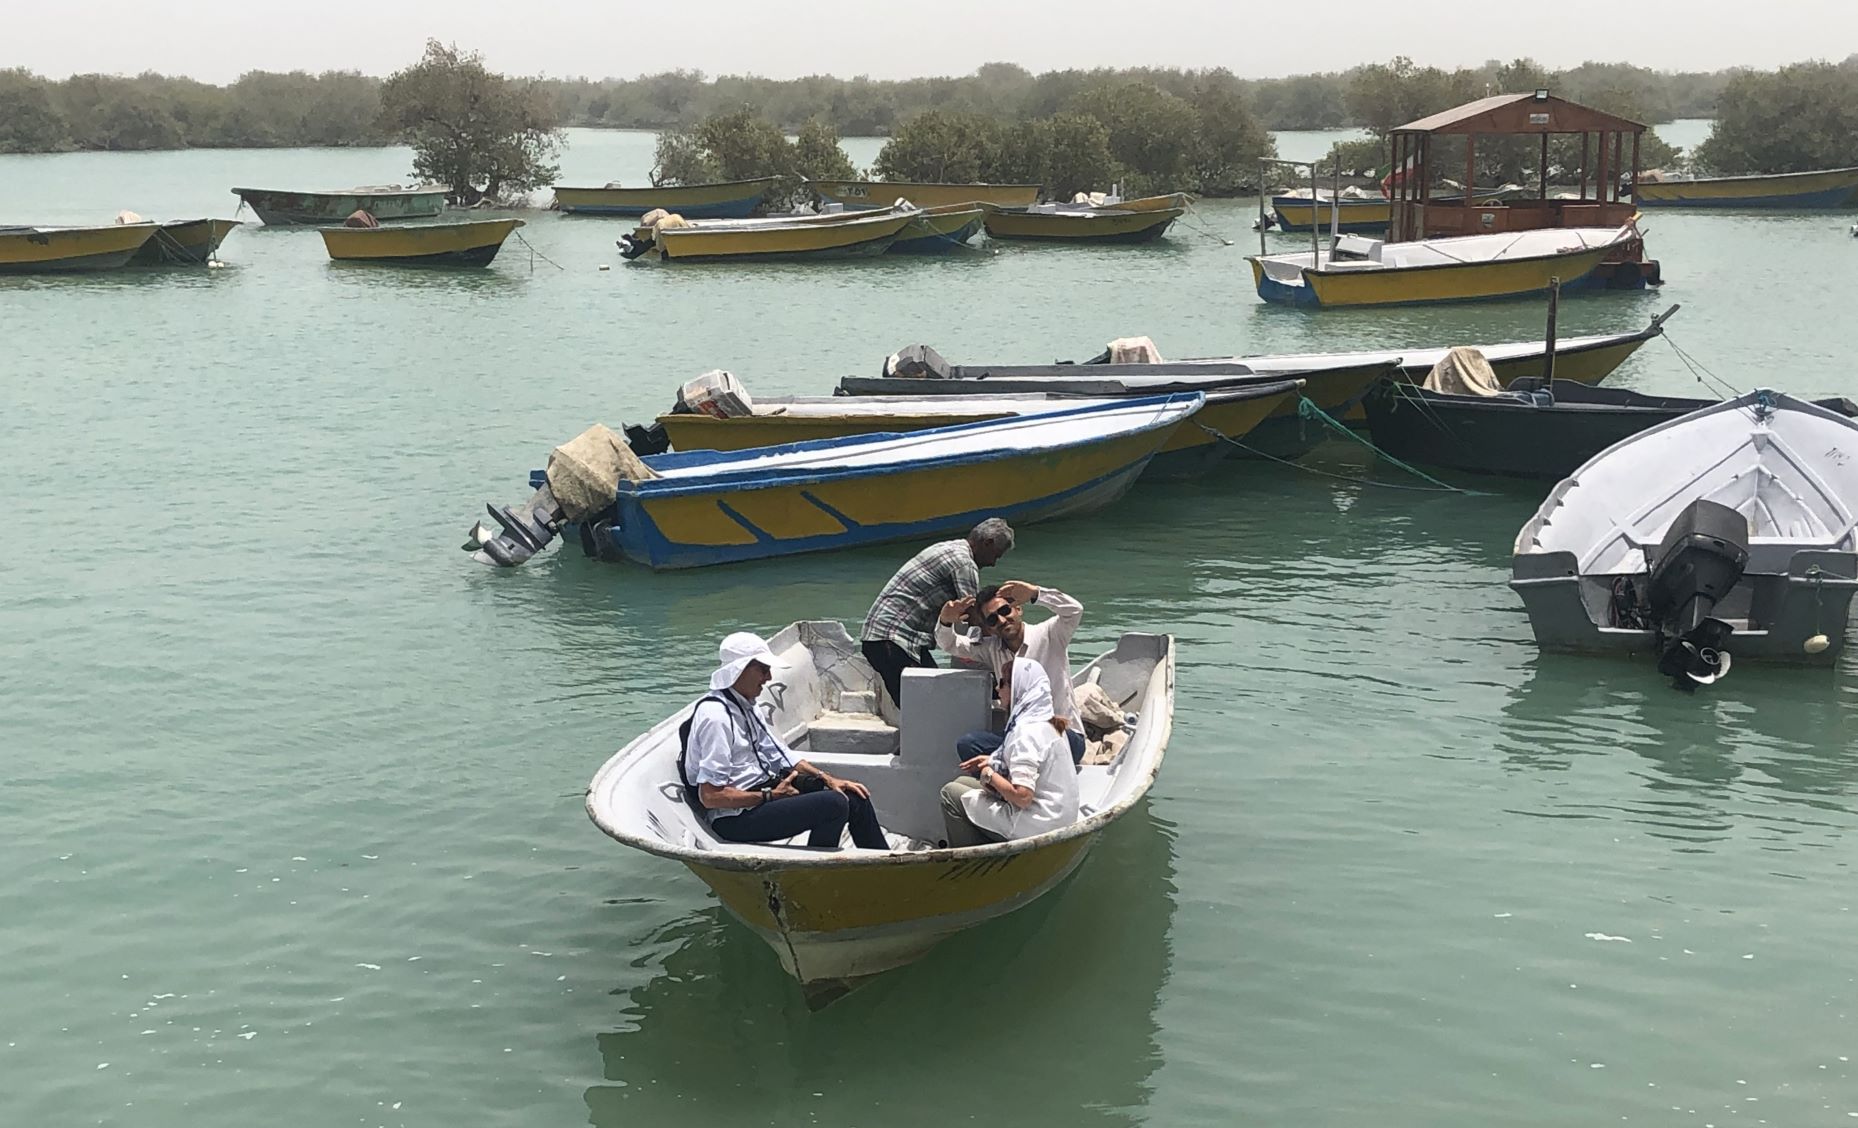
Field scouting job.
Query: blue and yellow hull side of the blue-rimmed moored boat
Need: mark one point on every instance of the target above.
(748, 523)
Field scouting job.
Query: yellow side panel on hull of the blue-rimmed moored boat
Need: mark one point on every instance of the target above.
(794, 512)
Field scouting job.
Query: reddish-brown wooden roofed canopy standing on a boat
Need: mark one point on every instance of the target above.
(1610, 153)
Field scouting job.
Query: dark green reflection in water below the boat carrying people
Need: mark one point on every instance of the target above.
(1077, 978)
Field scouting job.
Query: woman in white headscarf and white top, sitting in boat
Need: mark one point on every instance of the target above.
(1027, 787)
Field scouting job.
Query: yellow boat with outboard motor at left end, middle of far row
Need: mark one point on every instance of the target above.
(787, 237)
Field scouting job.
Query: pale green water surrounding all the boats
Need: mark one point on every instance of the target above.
(293, 820)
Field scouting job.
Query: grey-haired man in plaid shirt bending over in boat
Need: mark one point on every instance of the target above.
(900, 629)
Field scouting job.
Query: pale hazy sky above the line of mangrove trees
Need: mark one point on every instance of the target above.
(218, 40)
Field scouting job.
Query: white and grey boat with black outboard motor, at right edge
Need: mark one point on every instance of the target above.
(1731, 531)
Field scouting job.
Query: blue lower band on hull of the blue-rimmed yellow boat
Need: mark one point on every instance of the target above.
(638, 536)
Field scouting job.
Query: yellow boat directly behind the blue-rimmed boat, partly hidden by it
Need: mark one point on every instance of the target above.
(802, 419)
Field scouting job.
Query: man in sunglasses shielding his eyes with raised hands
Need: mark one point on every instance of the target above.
(1001, 614)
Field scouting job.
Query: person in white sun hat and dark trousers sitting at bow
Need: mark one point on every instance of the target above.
(748, 783)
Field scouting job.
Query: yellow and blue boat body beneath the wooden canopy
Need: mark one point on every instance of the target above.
(1465, 269)
